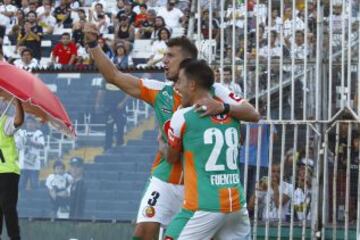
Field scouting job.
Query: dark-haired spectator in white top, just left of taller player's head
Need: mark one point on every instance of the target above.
(159, 47)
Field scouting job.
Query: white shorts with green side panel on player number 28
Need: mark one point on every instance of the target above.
(202, 225)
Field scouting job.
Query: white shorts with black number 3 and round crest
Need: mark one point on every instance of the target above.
(161, 202)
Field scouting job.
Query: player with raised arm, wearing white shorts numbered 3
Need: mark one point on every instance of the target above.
(163, 196)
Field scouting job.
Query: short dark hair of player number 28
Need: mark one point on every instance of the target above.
(198, 71)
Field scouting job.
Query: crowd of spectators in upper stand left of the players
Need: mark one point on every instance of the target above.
(27, 26)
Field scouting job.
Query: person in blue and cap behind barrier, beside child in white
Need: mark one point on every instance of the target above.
(78, 188)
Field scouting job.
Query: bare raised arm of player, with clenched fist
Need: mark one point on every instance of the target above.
(126, 82)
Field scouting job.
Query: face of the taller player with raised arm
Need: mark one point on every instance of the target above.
(172, 59)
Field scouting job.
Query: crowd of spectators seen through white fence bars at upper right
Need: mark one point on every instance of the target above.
(293, 35)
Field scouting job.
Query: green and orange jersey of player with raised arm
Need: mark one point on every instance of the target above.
(164, 99)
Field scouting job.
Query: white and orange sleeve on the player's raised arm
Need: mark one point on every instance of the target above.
(149, 89)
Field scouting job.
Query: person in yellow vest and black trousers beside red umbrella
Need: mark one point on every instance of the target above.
(10, 171)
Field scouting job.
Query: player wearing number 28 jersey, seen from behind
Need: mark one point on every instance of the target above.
(214, 204)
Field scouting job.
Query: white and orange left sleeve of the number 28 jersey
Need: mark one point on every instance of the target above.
(176, 130)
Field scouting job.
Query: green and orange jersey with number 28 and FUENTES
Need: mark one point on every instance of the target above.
(210, 147)
